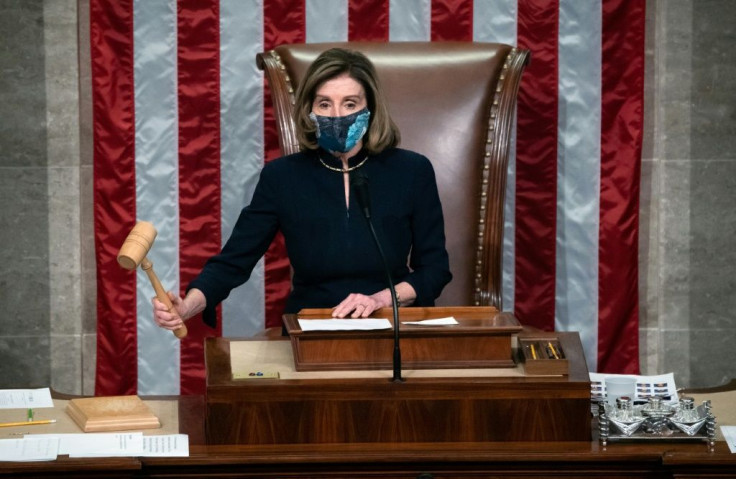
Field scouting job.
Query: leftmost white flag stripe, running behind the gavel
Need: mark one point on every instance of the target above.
(157, 179)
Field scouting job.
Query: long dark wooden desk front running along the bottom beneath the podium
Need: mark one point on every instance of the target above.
(502, 459)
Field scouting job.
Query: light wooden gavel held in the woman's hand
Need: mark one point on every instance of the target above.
(133, 253)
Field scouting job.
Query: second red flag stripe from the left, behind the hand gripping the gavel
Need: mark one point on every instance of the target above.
(199, 164)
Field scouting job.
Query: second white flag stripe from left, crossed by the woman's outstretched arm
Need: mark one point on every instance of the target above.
(241, 123)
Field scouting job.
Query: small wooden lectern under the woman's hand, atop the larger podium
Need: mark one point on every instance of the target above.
(481, 339)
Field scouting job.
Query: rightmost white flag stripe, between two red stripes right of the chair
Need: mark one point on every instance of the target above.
(578, 174)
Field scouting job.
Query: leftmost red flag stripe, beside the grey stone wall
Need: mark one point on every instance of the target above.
(113, 109)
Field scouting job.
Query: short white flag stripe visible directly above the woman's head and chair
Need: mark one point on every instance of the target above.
(327, 21)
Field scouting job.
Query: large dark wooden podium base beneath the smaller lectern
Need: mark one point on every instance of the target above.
(447, 405)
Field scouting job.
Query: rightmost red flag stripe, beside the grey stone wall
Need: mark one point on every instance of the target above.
(621, 139)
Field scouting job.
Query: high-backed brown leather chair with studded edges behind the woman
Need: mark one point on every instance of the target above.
(454, 102)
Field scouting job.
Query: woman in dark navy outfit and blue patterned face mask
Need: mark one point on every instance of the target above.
(343, 127)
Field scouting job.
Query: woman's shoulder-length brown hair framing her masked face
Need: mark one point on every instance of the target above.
(382, 131)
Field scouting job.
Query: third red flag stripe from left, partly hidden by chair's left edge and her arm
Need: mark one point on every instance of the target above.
(284, 22)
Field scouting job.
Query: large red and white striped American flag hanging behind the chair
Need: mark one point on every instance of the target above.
(183, 125)
